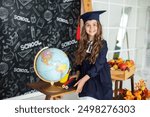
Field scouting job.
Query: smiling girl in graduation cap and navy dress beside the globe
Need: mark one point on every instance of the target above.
(92, 69)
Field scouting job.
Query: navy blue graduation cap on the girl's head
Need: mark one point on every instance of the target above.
(92, 15)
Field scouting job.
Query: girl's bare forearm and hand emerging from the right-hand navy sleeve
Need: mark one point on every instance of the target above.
(81, 83)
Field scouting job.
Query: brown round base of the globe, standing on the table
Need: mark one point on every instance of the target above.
(53, 88)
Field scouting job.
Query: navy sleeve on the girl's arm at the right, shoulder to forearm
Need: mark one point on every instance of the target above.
(100, 61)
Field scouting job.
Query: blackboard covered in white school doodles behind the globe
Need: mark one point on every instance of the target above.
(26, 26)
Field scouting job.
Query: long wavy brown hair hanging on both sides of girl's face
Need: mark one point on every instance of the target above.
(80, 54)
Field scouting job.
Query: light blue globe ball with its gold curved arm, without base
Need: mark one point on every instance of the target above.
(51, 64)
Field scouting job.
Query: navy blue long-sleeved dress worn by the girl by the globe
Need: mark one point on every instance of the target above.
(99, 85)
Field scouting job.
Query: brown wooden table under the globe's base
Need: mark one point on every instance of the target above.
(43, 88)
